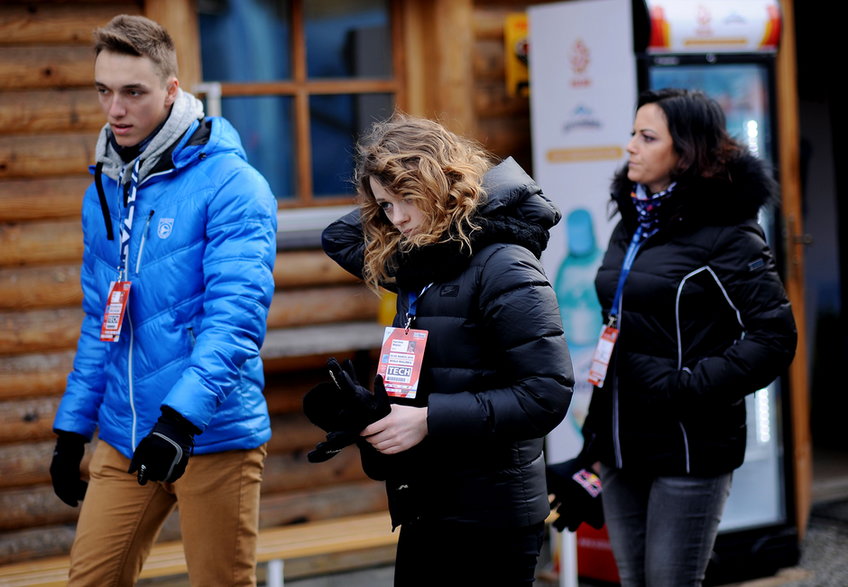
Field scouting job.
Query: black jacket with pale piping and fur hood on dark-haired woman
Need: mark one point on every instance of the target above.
(704, 322)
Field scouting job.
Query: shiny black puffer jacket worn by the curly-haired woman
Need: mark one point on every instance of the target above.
(496, 376)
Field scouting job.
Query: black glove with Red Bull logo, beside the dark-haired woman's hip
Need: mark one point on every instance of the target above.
(577, 495)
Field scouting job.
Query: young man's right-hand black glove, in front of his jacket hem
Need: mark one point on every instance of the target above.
(163, 454)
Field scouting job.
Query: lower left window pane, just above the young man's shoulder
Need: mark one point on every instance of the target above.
(266, 128)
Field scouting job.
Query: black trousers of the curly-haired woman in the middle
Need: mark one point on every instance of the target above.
(445, 554)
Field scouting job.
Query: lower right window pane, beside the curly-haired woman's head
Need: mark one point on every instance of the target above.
(335, 124)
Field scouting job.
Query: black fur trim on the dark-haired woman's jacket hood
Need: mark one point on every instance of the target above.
(717, 201)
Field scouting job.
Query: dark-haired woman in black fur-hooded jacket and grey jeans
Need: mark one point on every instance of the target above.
(697, 318)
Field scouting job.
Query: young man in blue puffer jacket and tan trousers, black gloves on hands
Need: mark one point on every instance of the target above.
(180, 240)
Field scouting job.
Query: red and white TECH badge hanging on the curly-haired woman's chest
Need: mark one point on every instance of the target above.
(401, 357)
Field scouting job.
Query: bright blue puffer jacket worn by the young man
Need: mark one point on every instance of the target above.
(201, 255)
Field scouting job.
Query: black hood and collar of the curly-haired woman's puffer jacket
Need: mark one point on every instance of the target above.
(515, 212)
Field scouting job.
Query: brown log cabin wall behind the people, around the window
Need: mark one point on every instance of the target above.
(49, 119)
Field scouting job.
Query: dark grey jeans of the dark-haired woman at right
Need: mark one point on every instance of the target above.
(662, 529)
